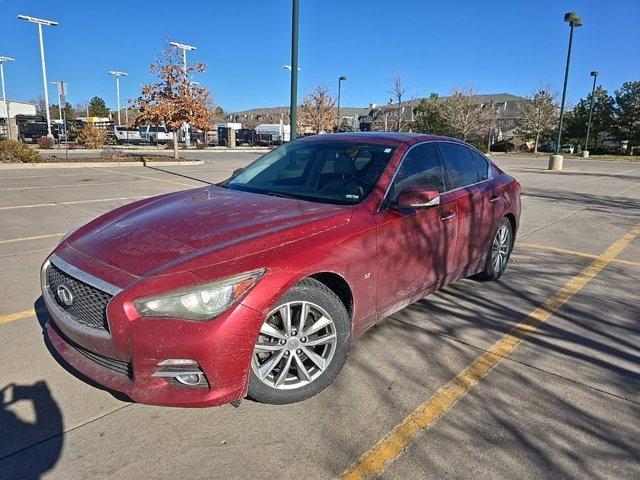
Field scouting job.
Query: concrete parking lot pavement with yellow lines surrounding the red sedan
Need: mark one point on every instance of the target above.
(534, 376)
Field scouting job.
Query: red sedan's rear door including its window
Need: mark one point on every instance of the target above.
(462, 183)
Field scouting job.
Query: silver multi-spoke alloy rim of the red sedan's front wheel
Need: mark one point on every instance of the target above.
(295, 346)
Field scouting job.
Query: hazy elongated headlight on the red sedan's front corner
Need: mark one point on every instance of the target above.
(201, 302)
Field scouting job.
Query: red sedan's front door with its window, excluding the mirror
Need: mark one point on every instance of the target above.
(415, 247)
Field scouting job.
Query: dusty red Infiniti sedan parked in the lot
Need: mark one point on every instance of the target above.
(258, 285)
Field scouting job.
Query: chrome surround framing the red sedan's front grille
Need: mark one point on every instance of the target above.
(61, 315)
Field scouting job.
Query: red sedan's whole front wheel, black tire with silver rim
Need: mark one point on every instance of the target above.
(321, 303)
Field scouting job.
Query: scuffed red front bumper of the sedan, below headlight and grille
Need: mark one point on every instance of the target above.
(222, 347)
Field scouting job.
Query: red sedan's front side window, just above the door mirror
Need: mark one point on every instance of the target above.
(419, 167)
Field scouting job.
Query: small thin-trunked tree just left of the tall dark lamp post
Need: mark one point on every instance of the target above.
(538, 115)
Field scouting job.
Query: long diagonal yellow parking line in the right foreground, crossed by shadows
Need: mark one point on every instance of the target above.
(375, 460)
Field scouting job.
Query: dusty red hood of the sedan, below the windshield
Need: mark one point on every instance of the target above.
(208, 224)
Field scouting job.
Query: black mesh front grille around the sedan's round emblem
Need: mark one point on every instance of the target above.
(89, 306)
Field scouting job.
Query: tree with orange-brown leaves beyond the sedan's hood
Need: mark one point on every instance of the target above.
(174, 99)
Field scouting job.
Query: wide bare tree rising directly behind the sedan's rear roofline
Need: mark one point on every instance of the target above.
(466, 114)
